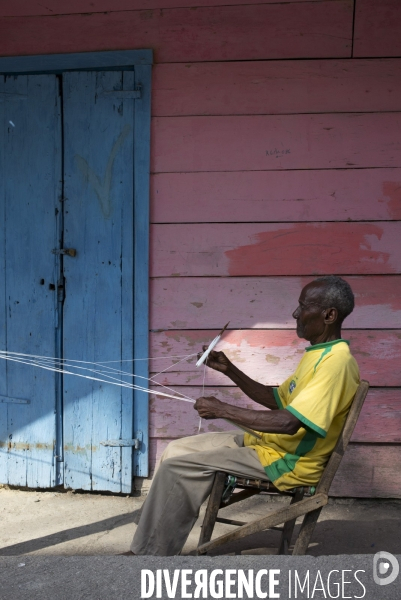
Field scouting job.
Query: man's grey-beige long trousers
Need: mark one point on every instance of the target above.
(182, 483)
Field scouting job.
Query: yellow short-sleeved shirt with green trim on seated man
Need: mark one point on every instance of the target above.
(319, 394)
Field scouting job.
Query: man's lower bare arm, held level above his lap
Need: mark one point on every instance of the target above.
(278, 421)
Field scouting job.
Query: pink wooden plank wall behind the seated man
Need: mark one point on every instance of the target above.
(275, 158)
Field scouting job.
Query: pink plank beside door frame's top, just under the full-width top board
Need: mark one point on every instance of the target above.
(279, 87)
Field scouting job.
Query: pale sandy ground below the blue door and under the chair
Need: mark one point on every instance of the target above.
(54, 523)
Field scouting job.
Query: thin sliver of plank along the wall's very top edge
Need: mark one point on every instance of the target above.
(24, 8)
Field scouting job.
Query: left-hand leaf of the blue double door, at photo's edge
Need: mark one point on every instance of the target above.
(30, 162)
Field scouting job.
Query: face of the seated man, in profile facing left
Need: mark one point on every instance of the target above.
(310, 314)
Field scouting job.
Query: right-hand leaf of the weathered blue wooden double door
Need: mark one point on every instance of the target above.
(98, 307)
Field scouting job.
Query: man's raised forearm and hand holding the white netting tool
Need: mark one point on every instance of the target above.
(262, 394)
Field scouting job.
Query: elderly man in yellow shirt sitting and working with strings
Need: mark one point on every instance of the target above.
(299, 431)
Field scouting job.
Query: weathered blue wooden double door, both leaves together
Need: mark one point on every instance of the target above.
(67, 164)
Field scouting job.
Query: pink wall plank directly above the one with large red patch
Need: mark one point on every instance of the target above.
(288, 196)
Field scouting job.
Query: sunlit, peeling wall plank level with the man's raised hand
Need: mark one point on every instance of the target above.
(270, 356)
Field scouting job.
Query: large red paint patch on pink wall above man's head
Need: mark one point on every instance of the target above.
(310, 246)
